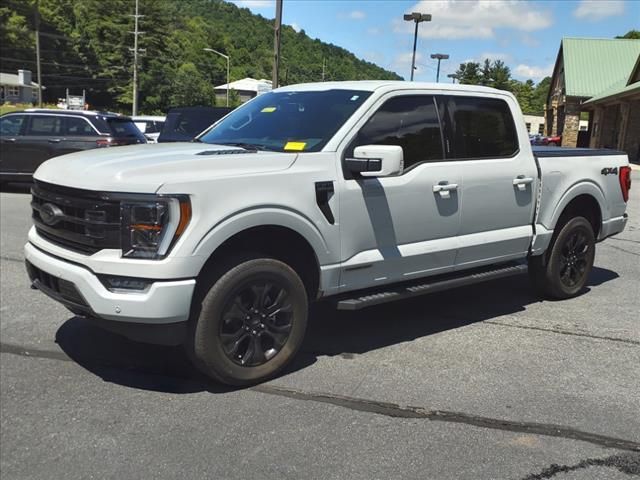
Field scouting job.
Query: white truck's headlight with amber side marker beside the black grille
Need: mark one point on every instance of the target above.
(151, 226)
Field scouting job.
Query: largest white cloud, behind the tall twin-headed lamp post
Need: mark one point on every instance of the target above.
(455, 19)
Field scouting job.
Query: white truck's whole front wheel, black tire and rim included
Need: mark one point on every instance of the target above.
(250, 322)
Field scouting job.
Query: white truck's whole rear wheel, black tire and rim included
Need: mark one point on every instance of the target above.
(563, 271)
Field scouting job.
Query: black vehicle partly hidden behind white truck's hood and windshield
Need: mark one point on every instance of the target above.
(183, 124)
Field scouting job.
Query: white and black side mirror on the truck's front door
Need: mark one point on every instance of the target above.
(376, 161)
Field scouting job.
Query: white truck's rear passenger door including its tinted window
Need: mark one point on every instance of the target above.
(499, 178)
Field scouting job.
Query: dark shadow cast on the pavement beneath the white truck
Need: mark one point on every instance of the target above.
(330, 333)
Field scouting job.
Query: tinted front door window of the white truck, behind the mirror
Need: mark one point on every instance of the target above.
(408, 121)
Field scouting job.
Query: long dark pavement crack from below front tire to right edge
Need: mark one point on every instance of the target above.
(396, 411)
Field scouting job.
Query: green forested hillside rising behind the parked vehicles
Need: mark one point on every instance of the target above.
(86, 44)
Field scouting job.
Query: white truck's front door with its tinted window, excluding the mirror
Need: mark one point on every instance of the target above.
(403, 227)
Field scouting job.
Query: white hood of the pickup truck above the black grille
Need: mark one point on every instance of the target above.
(145, 168)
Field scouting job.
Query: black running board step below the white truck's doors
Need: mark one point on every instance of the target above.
(436, 284)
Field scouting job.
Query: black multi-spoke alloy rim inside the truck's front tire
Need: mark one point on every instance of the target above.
(256, 322)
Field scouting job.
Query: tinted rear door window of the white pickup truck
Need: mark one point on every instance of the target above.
(482, 128)
